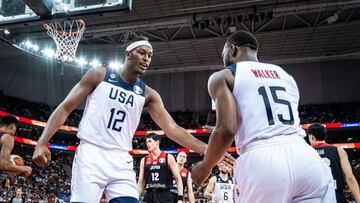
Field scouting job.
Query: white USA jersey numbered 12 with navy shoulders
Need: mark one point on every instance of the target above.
(112, 113)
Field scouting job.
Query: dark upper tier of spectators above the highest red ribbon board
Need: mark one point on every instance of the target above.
(342, 112)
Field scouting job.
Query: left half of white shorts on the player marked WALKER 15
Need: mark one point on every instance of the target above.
(262, 174)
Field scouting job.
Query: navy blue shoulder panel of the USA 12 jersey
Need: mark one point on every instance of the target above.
(113, 77)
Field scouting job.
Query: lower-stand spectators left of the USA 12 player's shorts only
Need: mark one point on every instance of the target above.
(52, 180)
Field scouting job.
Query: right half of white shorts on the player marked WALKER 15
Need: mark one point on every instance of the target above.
(314, 182)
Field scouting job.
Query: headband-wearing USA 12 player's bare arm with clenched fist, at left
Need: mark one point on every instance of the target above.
(78, 93)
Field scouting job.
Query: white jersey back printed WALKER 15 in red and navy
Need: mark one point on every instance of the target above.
(267, 102)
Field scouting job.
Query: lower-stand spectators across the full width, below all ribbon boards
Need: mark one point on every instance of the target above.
(55, 178)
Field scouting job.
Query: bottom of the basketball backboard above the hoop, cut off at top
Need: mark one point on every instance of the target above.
(24, 11)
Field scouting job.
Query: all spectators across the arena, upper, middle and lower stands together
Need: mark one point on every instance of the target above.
(54, 179)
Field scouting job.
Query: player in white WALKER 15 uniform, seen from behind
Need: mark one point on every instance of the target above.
(256, 104)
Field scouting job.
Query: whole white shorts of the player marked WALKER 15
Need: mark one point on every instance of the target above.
(282, 169)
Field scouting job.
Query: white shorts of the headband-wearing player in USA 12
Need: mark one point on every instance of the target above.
(97, 170)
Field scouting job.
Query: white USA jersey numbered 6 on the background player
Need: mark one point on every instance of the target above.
(224, 189)
